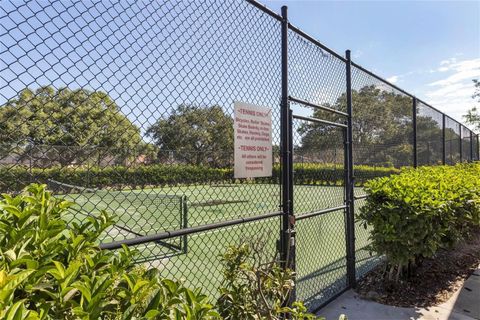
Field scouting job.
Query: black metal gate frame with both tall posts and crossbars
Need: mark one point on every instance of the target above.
(287, 233)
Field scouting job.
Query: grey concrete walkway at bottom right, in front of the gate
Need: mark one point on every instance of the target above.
(463, 305)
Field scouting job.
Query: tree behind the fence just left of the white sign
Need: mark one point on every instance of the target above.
(195, 135)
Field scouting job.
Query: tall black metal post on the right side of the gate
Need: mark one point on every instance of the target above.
(350, 211)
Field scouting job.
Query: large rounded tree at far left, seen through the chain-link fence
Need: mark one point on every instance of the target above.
(67, 126)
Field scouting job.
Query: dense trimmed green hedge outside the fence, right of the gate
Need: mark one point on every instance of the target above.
(418, 211)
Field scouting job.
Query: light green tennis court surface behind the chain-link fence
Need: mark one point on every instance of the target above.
(320, 246)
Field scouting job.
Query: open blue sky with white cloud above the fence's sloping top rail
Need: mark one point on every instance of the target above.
(429, 48)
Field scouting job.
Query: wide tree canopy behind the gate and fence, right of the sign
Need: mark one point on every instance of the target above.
(382, 131)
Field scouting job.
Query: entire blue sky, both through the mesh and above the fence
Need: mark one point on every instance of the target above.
(151, 56)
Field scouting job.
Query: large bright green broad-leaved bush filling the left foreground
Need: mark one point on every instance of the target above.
(49, 270)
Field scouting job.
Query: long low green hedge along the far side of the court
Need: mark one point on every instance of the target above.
(17, 177)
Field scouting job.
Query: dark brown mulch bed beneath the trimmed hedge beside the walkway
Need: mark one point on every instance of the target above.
(432, 283)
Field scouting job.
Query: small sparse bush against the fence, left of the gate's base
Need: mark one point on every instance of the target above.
(256, 289)
